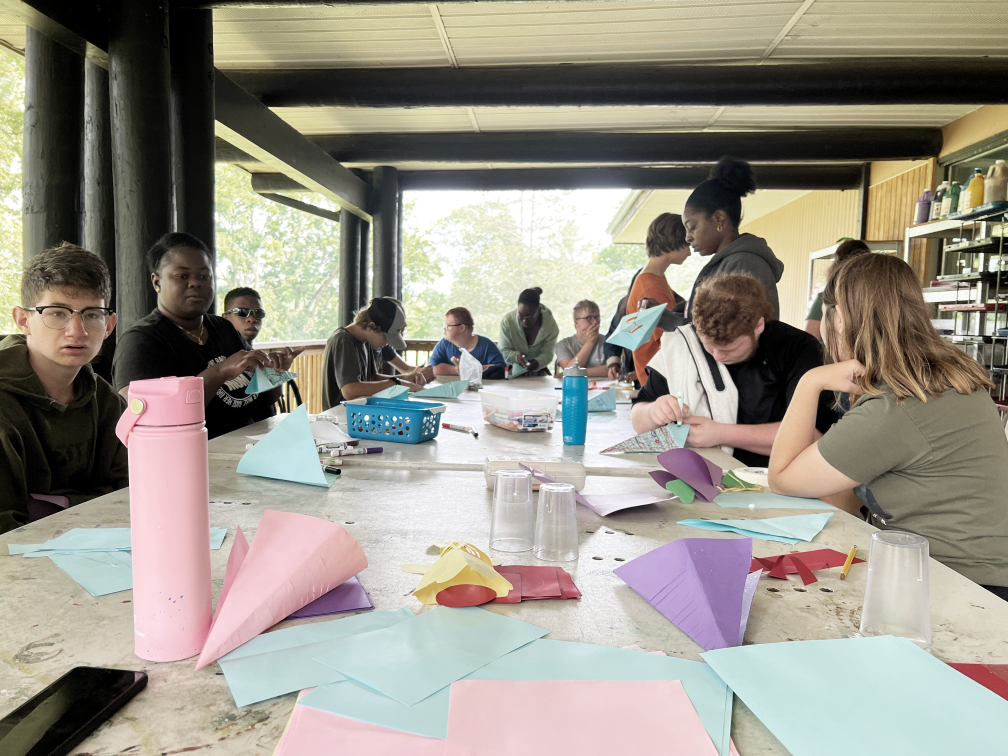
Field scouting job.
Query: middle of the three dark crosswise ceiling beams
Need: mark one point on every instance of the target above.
(647, 149)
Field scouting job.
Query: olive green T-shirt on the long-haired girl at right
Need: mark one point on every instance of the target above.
(937, 469)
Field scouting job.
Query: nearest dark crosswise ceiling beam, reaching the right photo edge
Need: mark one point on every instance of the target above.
(862, 82)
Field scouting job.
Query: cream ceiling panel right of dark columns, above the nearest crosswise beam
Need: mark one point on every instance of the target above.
(339, 37)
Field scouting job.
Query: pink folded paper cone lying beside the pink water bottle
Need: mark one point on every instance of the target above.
(294, 560)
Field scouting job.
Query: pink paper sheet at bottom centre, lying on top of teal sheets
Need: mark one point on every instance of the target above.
(507, 718)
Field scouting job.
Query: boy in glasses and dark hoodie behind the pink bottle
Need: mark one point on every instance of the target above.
(58, 420)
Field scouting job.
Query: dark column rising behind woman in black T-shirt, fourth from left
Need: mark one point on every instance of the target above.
(193, 122)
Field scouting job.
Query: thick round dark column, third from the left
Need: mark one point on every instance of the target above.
(140, 80)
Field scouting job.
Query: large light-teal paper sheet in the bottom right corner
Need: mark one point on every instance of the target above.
(871, 697)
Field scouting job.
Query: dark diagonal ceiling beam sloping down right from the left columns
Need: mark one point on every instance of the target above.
(251, 128)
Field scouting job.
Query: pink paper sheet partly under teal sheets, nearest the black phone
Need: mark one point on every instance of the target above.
(313, 732)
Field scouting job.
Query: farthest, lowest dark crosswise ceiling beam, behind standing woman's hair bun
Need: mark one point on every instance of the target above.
(844, 177)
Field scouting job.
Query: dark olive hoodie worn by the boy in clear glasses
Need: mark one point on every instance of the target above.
(54, 449)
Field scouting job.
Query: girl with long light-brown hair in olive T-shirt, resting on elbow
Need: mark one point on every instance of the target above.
(923, 448)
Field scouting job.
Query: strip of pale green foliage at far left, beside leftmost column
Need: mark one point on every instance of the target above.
(12, 145)
